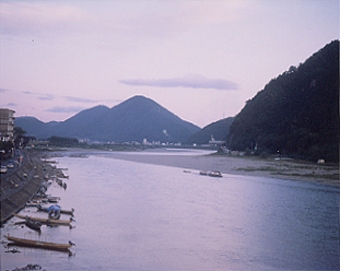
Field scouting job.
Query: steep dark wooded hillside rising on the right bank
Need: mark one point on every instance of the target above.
(296, 113)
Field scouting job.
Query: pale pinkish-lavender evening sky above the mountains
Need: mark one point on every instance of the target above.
(202, 60)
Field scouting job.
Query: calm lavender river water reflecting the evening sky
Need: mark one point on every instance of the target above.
(134, 216)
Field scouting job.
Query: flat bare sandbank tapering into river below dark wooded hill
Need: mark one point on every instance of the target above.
(327, 174)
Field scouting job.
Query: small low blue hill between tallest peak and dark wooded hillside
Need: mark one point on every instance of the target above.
(218, 130)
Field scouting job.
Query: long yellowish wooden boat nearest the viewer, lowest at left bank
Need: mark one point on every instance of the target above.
(38, 244)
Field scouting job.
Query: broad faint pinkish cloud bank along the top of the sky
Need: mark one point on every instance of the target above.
(121, 17)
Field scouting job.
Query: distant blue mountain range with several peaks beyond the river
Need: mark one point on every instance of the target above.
(135, 119)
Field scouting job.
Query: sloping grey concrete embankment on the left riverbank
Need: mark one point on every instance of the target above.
(21, 185)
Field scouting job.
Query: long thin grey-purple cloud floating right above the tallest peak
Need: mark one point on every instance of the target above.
(188, 81)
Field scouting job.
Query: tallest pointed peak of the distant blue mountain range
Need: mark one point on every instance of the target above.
(143, 118)
